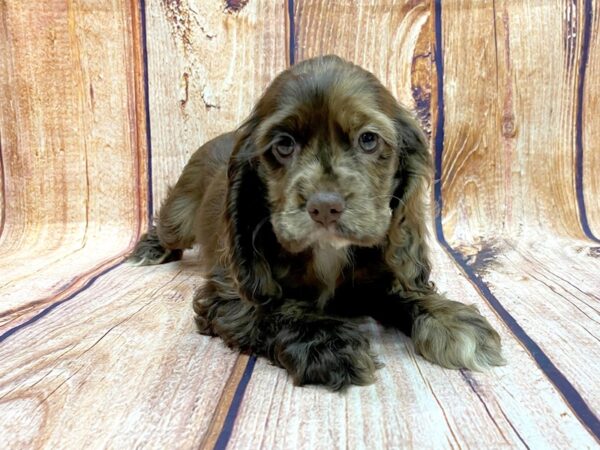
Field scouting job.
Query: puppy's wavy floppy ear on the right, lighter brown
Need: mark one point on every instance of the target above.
(407, 253)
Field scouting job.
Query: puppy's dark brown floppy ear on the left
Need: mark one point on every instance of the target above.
(252, 242)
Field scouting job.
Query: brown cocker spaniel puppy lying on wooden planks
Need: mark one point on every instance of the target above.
(311, 215)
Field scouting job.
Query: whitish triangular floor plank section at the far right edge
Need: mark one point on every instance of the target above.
(557, 284)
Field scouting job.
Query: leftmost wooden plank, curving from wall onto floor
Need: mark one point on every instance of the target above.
(72, 139)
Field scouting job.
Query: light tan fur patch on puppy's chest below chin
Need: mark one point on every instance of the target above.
(328, 263)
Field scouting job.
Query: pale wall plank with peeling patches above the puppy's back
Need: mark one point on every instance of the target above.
(208, 65)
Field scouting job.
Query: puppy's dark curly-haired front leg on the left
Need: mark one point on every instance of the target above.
(313, 348)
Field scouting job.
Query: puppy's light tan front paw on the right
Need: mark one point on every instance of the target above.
(456, 336)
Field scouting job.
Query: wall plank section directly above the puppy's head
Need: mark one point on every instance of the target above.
(391, 39)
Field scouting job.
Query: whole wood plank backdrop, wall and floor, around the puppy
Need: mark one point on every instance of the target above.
(102, 104)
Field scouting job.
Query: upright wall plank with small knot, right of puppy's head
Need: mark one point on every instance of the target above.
(509, 150)
